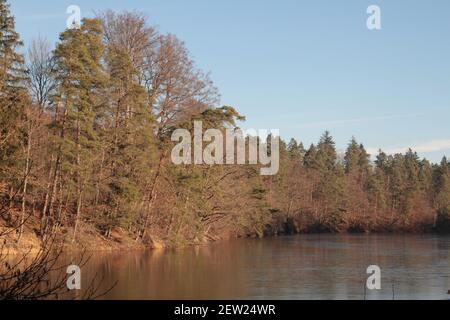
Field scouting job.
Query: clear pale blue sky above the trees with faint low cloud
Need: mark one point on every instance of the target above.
(307, 66)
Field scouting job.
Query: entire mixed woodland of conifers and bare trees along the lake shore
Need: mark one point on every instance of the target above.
(85, 145)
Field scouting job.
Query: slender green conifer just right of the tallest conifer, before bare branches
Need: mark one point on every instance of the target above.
(127, 143)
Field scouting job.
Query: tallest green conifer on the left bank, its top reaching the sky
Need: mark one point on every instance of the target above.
(80, 96)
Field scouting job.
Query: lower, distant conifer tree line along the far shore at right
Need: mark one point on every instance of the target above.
(319, 189)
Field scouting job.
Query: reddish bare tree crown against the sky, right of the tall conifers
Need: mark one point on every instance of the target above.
(176, 88)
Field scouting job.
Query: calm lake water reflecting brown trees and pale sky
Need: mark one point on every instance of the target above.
(298, 267)
